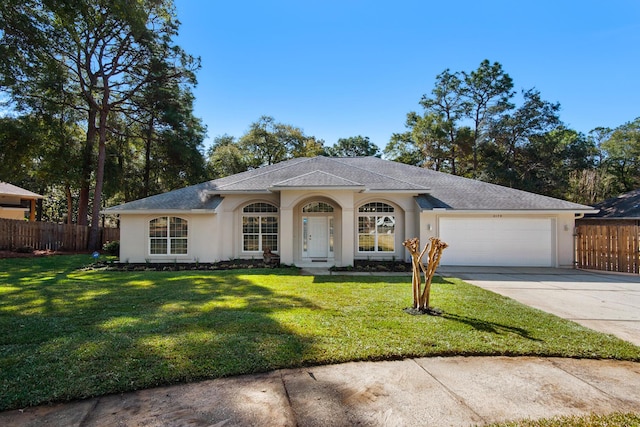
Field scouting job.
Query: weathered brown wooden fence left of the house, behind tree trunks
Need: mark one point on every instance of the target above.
(15, 234)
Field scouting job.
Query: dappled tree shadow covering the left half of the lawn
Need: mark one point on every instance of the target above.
(73, 334)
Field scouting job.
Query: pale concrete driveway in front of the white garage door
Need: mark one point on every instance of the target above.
(605, 302)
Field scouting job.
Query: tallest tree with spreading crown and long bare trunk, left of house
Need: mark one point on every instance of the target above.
(102, 48)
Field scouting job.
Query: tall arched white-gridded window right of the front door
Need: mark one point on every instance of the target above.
(376, 227)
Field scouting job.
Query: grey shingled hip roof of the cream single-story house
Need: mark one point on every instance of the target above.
(368, 174)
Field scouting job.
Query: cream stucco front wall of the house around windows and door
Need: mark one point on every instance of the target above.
(217, 236)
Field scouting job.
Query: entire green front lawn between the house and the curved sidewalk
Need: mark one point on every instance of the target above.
(68, 333)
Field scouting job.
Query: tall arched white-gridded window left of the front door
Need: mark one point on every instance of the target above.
(260, 227)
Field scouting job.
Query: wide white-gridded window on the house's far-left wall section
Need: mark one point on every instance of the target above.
(168, 235)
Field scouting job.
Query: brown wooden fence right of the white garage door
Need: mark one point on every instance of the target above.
(608, 246)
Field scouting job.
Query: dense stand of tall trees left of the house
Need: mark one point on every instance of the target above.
(103, 96)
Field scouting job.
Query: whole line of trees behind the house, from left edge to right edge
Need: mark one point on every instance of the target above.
(94, 133)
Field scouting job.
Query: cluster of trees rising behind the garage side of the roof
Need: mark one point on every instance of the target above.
(472, 126)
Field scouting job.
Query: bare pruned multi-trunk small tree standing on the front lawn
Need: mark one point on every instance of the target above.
(421, 292)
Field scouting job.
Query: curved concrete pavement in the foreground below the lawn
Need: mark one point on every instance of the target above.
(455, 391)
